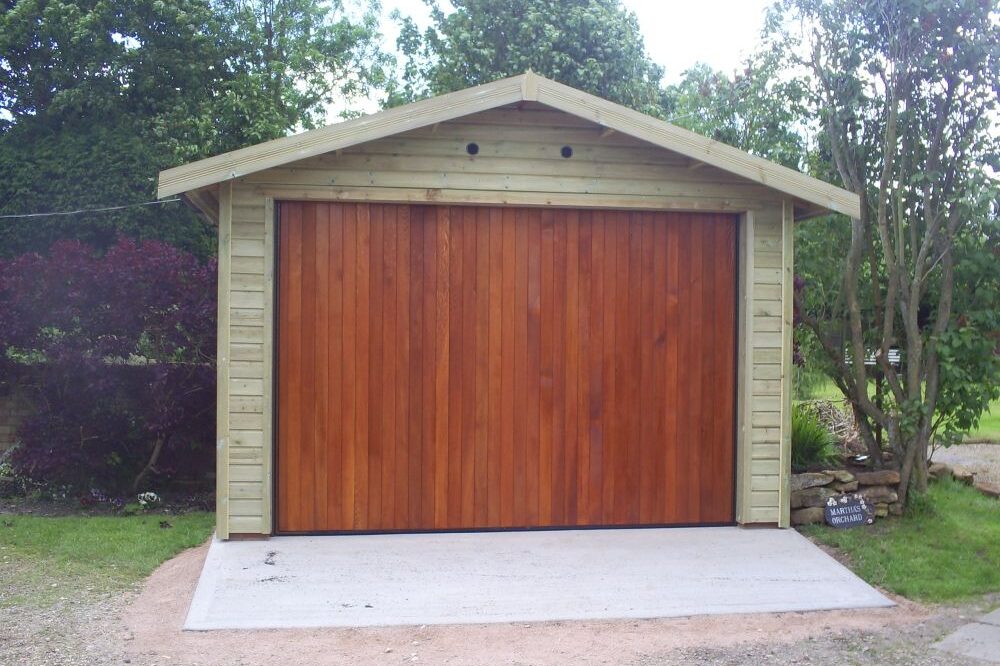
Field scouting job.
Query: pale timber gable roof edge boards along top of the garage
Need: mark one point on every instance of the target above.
(528, 87)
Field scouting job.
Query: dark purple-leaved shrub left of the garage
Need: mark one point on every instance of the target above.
(119, 354)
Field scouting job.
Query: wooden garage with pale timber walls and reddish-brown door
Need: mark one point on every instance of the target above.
(515, 306)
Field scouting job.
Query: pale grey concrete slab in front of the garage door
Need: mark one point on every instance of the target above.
(405, 579)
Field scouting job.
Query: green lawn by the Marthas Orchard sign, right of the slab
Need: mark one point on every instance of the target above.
(946, 549)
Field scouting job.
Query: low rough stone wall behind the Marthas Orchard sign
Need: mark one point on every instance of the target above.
(811, 490)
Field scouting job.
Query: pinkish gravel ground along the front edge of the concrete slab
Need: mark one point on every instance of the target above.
(142, 628)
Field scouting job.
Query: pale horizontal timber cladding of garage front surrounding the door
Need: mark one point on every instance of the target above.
(519, 163)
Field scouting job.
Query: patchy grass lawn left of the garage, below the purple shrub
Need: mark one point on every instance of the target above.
(54, 557)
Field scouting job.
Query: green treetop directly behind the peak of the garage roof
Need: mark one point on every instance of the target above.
(593, 45)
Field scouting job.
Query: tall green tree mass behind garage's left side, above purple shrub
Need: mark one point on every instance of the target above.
(97, 99)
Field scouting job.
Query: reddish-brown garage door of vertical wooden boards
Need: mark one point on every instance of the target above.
(469, 367)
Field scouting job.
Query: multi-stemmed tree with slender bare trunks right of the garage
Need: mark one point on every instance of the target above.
(905, 94)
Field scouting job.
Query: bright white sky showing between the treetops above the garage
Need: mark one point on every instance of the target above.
(678, 33)
